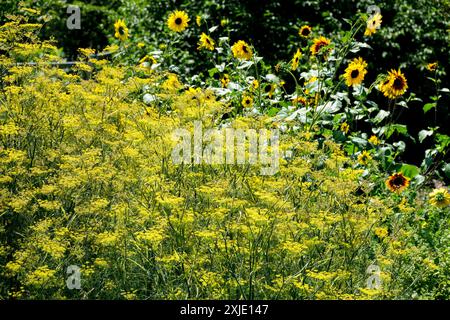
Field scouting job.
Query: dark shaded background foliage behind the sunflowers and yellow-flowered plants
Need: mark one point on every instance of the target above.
(413, 33)
